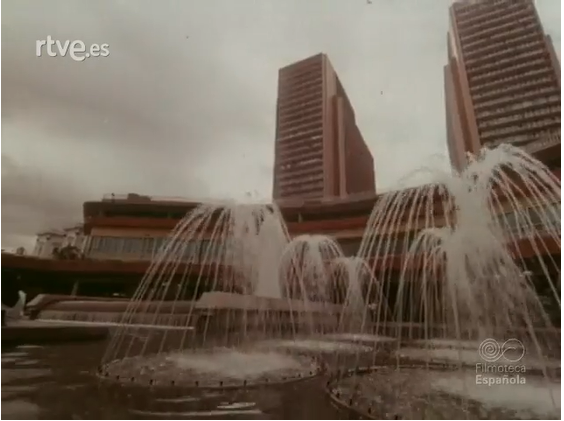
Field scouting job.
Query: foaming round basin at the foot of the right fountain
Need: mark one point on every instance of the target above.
(442, 392)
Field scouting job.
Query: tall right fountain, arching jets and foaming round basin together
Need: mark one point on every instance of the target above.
(466, 297)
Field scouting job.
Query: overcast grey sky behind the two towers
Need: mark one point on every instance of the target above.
(185, 103)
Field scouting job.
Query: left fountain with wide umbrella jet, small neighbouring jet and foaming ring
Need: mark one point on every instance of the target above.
(236, 290)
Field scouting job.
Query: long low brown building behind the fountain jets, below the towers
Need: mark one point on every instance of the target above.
(124, 233)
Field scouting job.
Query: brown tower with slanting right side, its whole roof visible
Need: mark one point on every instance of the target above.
(319, 150)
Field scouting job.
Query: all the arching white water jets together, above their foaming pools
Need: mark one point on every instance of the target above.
(465, 258)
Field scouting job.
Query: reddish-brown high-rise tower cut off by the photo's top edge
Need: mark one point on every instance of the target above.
(502, 80)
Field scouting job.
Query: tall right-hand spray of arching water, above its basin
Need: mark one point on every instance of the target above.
(476, 249)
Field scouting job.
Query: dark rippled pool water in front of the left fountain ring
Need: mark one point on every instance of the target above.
(56, 382)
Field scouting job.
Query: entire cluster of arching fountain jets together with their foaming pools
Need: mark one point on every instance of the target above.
(455, 275)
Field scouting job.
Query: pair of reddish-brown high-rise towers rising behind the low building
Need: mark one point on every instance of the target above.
(502, 85)
